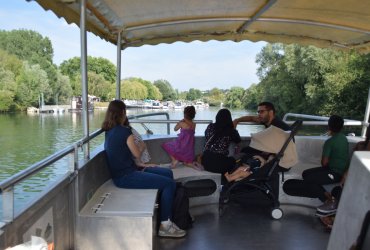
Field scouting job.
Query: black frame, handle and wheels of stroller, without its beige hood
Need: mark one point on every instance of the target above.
(265, 181)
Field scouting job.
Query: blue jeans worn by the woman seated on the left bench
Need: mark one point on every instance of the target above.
(153, 178)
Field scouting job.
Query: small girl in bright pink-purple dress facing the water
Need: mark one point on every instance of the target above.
(182, 149)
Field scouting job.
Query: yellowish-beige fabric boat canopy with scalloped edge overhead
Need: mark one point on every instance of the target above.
(339, 24)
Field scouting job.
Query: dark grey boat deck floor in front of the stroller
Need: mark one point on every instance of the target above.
(251, 227)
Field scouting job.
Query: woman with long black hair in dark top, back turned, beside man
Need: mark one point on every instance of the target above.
(218, 137)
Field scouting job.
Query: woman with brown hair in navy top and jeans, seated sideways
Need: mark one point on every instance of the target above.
(121, 150)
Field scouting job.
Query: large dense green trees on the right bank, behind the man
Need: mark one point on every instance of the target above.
(306, 79)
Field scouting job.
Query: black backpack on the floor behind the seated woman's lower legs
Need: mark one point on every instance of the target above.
(180, 210)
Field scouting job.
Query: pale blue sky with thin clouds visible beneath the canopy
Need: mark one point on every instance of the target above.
(200, 65)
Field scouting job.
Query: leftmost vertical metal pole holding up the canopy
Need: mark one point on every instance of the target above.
(85, 111)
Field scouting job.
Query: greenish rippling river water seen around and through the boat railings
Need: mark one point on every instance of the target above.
(26, 139)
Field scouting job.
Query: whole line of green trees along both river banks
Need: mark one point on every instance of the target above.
(301, 79)
